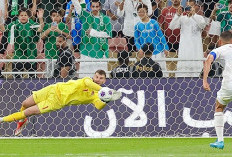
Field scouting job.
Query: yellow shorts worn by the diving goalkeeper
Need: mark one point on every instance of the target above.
(47, 99)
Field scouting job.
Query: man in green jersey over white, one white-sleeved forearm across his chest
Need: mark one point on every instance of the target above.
(95, 33)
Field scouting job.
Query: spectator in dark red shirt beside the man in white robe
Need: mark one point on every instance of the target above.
(172, 36)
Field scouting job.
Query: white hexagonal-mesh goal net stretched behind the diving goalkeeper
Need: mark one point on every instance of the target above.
(173, 104)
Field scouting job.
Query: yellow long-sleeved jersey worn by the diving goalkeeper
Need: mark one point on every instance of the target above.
(82, 91)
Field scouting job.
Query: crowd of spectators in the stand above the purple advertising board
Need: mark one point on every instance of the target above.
(150, 30)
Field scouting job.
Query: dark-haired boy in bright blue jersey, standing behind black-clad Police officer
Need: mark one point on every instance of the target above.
(148, 31)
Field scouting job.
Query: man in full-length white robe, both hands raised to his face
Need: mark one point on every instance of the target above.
(191, 46)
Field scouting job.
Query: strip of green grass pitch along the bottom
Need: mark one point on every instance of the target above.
(113, 147)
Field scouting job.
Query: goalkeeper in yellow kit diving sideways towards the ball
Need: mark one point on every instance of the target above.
(59, 95)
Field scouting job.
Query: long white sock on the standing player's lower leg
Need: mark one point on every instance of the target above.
(219, 125)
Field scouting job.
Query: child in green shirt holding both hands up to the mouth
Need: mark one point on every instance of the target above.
(51, 31)
